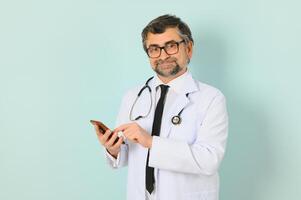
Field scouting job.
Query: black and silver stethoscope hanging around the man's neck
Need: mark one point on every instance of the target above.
(176, 120)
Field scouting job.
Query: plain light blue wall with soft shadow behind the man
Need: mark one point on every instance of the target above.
(66, 62)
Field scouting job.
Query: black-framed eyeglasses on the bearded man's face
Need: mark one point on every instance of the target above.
(170, 48)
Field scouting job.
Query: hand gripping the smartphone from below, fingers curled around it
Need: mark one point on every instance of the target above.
(107, 140)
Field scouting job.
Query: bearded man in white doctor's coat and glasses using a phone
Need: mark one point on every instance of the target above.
(176, 130)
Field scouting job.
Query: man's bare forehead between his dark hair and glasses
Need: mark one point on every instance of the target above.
(161, 38)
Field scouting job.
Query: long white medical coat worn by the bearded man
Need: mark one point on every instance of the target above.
(186, 157)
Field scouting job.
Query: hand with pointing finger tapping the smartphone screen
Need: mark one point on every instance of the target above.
(135, 133)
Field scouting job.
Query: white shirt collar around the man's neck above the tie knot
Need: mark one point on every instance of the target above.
(175, 84)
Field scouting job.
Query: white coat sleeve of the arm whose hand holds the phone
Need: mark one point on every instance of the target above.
(122, 117)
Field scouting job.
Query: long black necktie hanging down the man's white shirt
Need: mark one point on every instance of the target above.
(149, 173)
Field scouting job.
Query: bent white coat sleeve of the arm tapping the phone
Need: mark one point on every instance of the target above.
(205, 154)
